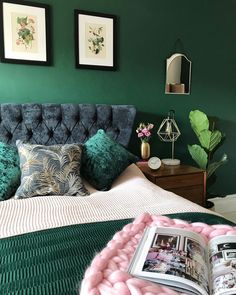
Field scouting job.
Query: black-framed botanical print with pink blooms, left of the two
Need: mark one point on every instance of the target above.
(25, 32)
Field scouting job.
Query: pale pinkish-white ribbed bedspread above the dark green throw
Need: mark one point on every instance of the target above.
(131, 195)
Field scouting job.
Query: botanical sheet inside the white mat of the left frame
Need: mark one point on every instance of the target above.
(24, 33)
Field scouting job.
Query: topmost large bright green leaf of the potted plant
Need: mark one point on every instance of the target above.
(198, 121)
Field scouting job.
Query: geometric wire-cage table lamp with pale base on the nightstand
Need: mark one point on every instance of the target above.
(169, 132)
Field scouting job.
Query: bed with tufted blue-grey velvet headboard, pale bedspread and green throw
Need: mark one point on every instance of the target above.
(47, 242)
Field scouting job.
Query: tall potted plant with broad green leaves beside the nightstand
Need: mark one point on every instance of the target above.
(209, 139)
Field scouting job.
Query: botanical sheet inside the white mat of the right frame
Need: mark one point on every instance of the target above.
(95, 40)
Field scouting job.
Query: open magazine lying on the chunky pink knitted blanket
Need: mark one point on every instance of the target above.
(186, 262)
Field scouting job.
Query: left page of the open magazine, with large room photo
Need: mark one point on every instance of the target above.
(173, 257)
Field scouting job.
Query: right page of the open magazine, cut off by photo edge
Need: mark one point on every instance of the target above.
(222, 261)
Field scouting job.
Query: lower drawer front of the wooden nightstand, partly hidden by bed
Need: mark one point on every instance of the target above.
(194, 194)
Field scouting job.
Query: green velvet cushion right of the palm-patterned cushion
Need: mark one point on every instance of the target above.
(103, 160)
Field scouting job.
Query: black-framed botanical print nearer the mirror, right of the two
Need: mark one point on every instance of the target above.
(95, 40)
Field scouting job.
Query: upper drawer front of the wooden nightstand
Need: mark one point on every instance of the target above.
(170, 182)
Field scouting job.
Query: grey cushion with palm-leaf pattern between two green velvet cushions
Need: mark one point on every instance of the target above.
(50, 170)
